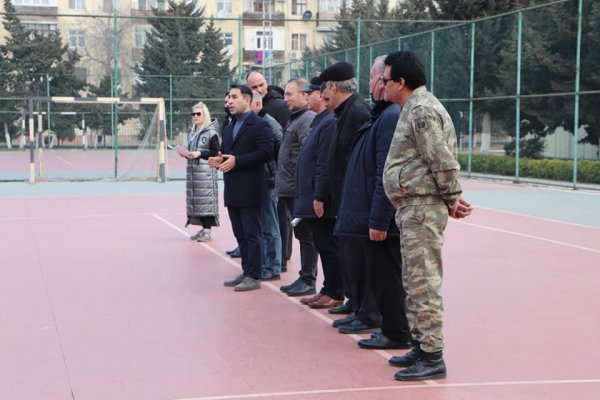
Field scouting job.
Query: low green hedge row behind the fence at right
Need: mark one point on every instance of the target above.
(588, 171)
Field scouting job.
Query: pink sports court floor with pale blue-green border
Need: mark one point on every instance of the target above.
(105, 297)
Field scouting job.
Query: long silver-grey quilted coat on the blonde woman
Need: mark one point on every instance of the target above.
(201, 180)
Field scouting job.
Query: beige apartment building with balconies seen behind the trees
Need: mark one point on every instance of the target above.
(257, 33)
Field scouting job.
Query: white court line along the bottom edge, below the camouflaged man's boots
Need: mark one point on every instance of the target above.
(399, 387)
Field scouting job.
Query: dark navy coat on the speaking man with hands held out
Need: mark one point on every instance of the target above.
(246, 184)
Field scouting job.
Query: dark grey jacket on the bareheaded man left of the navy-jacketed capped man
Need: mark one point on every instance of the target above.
(294, 137)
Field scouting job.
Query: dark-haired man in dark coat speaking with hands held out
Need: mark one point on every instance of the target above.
(247, 145)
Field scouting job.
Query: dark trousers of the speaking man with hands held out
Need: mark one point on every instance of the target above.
(248, 232)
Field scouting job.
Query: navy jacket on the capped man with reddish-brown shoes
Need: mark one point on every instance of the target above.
(311, 179)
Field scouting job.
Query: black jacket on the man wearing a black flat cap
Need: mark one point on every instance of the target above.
(351, 115)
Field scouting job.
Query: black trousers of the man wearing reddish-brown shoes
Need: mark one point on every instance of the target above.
(327, 247)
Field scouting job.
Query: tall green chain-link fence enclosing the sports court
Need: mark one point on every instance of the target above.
(515, 84)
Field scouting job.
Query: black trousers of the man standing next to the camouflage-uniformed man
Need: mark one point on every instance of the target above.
(384, 269)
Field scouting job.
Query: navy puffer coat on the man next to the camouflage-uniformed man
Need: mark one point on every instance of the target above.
(364, 202)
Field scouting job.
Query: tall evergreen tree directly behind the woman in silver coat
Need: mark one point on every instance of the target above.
(172, 55)
